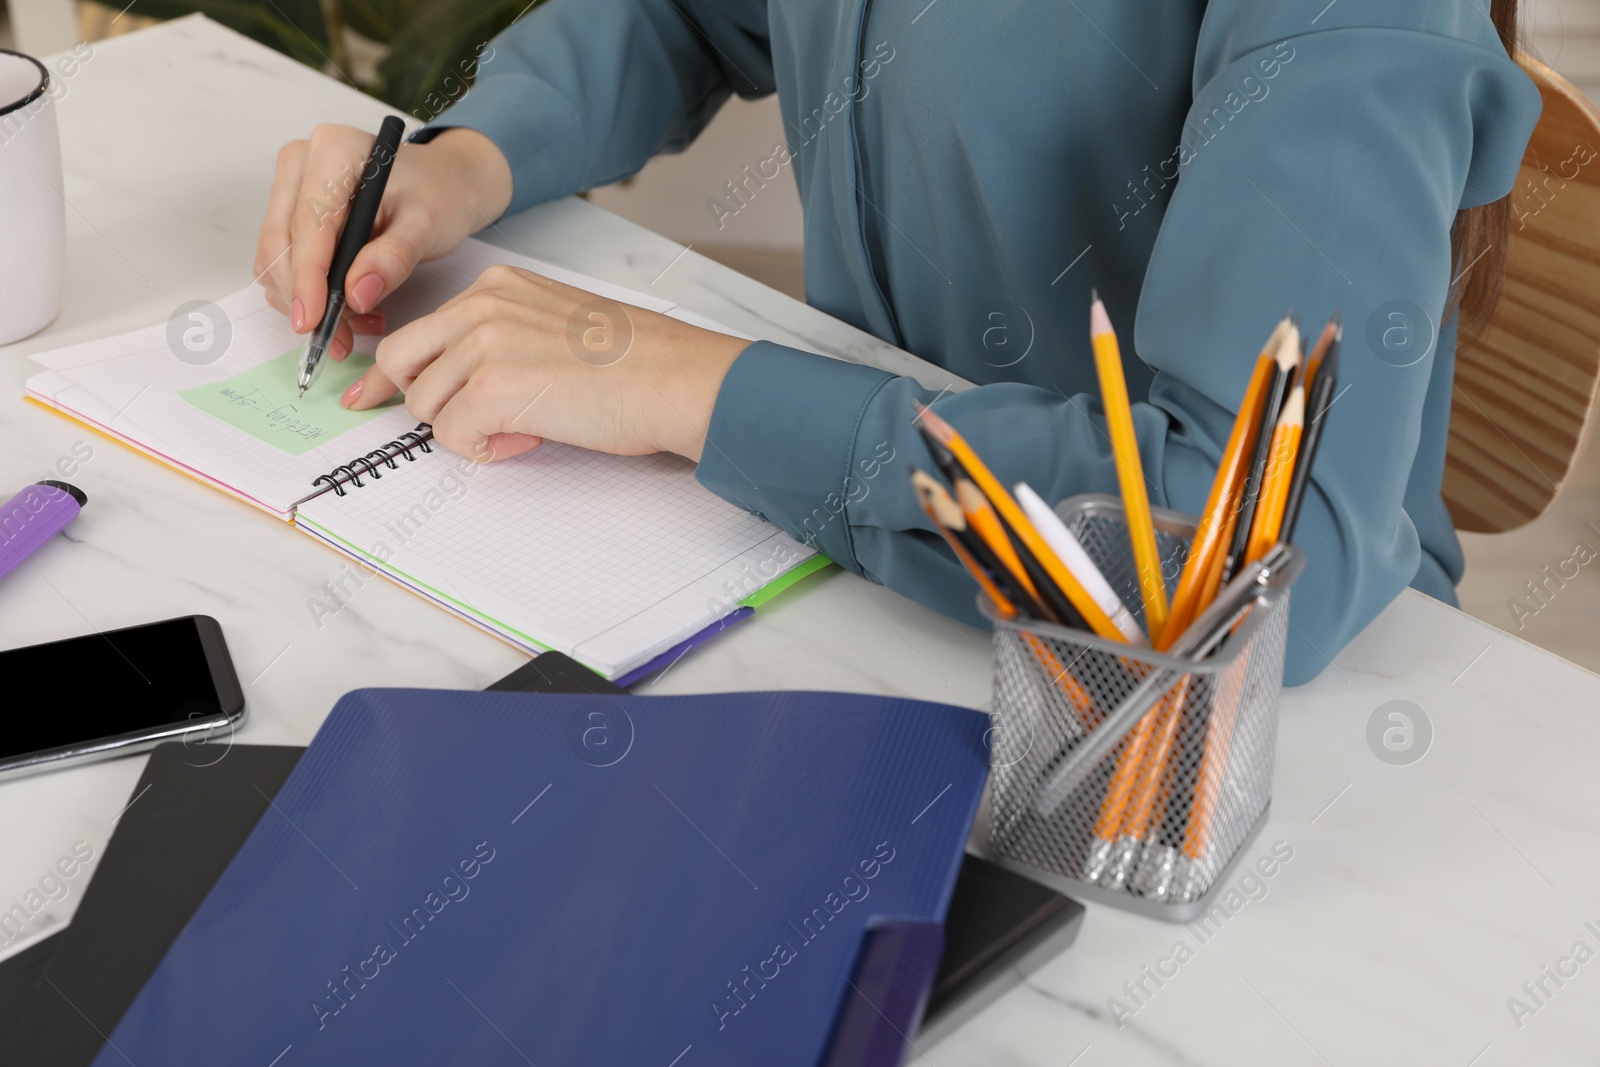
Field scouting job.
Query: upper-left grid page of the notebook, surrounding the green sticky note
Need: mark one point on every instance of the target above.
(129, 385)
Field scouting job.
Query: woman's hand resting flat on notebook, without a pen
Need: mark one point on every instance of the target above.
(521, 358)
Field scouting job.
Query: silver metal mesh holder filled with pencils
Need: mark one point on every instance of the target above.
(1122, 775)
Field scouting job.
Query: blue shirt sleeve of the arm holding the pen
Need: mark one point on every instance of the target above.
(583, 94)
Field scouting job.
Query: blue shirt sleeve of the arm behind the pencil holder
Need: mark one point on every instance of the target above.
(1338, 193)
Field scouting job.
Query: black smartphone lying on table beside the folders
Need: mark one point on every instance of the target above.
(119, 692)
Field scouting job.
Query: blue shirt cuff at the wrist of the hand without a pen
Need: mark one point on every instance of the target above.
(774, 399)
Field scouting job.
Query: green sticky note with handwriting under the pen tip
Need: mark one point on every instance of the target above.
(263, 402)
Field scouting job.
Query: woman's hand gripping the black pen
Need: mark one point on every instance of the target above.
(438, 194)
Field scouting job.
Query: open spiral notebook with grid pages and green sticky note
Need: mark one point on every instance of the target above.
(612, 561)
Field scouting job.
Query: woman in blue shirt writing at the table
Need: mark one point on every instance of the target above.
(969, 172)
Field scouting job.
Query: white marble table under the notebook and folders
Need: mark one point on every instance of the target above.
(1418, 898)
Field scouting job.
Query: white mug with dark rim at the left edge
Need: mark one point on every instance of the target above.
(33, 214)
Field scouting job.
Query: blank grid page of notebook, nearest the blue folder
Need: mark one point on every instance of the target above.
(609, 559)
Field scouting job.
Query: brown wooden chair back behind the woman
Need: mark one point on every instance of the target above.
(1529, 391)
